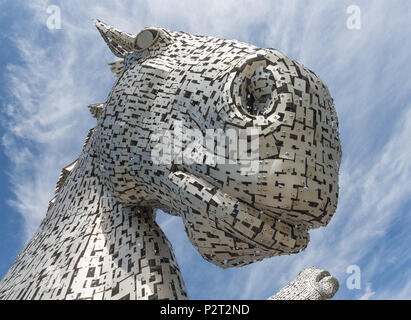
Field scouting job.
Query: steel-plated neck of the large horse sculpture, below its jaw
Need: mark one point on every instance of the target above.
(90, 246)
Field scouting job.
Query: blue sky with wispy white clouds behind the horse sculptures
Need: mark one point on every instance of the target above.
(48, 77)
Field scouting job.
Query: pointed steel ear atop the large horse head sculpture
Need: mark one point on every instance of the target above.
(120, 43)
